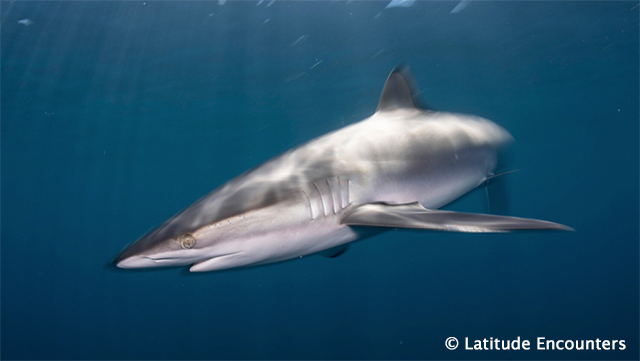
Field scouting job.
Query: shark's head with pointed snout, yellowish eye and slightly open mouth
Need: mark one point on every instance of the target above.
(213, 233)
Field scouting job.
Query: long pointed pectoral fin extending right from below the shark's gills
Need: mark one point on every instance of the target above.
(413, 215)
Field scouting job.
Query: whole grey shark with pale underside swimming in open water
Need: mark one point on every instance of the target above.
(393, 169)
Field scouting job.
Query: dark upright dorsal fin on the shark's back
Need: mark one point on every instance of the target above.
(399, 92)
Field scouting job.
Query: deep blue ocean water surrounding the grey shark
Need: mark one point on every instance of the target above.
(116, 115)
